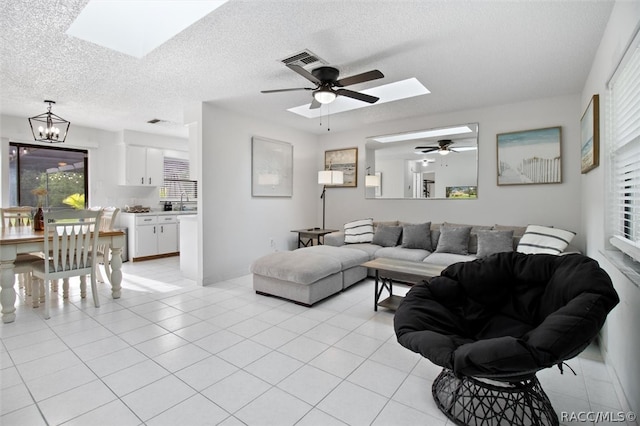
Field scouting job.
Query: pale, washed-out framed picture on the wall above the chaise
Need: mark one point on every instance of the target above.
(271, 168)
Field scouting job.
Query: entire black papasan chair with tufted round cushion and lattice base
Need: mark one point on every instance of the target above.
(493, 323)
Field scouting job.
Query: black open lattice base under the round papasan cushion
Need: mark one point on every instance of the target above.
(469, 401)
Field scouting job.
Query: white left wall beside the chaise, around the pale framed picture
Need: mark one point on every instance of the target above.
(237, 228)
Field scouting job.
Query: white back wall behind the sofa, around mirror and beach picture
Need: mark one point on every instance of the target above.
(550, 204)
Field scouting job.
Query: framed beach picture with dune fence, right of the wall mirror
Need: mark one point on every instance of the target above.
(530, 157)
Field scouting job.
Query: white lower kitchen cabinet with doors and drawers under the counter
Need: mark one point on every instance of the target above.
(151, 235)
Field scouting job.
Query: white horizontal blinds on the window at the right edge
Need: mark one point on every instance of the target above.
(624, 122)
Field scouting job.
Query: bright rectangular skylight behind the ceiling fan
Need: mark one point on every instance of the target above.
(387, 93)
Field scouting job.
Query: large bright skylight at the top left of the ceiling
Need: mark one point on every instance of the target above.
(136, 27)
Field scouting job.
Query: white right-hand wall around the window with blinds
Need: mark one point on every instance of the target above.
(620, 338)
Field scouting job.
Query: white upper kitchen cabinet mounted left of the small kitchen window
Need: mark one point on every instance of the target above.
(142, 166)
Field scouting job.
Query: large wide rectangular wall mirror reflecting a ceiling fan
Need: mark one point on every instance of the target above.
(439, 163)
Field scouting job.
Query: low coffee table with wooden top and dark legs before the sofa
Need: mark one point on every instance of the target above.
(401, 271)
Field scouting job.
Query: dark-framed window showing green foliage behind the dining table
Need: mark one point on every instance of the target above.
(45, 176)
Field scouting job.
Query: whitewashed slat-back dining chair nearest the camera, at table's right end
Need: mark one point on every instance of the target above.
(72, 246)
